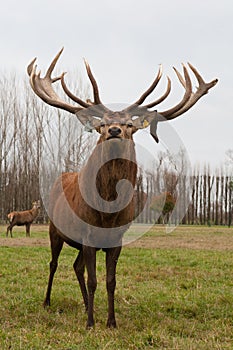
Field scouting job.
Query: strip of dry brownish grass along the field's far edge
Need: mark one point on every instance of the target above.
(184, 237)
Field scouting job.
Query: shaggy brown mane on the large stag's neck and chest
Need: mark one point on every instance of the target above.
(111, 162)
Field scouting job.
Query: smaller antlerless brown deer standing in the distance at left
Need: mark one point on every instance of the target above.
(20, 218)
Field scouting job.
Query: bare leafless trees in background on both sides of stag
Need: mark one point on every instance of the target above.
(37, 142)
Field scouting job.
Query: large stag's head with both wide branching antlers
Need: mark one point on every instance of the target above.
(121, 124)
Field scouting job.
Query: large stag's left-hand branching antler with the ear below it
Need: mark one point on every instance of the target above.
(44, 89)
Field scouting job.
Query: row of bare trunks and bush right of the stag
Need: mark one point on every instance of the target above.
(209, 200)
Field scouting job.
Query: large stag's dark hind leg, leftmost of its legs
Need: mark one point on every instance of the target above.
(56, 246)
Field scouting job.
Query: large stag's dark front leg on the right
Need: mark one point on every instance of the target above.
(112, 255)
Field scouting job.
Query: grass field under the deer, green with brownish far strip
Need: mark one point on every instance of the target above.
(173, 292)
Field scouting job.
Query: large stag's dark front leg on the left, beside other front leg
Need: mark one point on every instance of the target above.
(89, 254)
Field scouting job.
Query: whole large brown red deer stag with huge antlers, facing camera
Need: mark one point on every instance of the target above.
(89, 222)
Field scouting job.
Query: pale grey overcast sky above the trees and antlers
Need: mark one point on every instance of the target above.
(124, 42)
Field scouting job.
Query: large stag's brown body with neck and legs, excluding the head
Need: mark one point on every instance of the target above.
(89, 238)
